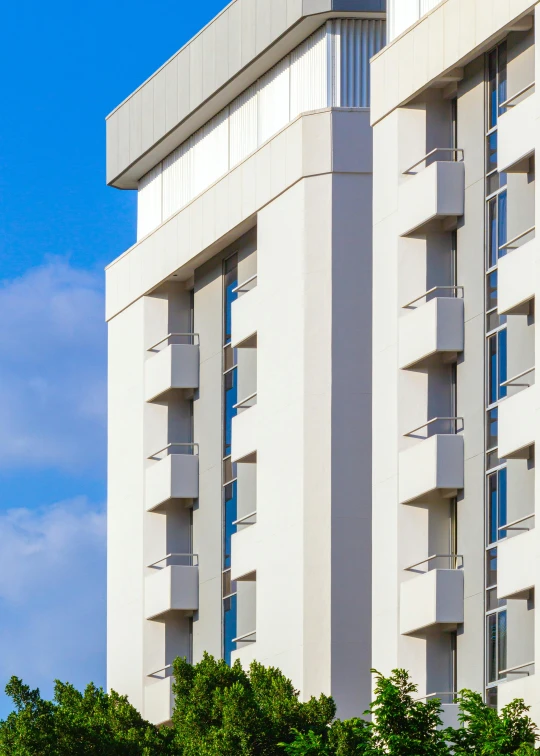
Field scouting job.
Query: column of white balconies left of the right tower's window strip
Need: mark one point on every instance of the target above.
(431, 334)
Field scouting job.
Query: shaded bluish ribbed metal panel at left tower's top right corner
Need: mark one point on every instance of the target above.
(351, 44)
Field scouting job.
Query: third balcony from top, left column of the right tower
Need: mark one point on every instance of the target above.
(431, 469)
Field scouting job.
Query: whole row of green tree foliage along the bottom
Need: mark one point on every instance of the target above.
(227, 711)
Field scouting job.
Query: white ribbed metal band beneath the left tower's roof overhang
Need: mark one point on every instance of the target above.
(331, 68)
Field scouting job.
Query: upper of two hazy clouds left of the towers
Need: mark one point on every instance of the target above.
(52, 369)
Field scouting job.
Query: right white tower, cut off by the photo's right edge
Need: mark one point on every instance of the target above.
(455, 408)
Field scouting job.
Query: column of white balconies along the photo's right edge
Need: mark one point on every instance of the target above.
(517, 275)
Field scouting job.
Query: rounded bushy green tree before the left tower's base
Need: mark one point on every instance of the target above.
(226, 711)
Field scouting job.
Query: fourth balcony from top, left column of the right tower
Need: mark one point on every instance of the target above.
(433, 600)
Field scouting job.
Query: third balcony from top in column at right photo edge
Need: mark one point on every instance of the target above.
(517, 422)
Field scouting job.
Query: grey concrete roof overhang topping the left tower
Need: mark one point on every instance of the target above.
(240, 44)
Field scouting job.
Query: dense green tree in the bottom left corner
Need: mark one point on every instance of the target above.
(92, 723)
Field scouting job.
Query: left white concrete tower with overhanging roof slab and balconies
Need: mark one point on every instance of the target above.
(239, 491)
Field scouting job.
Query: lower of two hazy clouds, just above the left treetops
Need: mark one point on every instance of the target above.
(52, 595)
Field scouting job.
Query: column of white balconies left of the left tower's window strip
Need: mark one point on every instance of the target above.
(172, 480)
